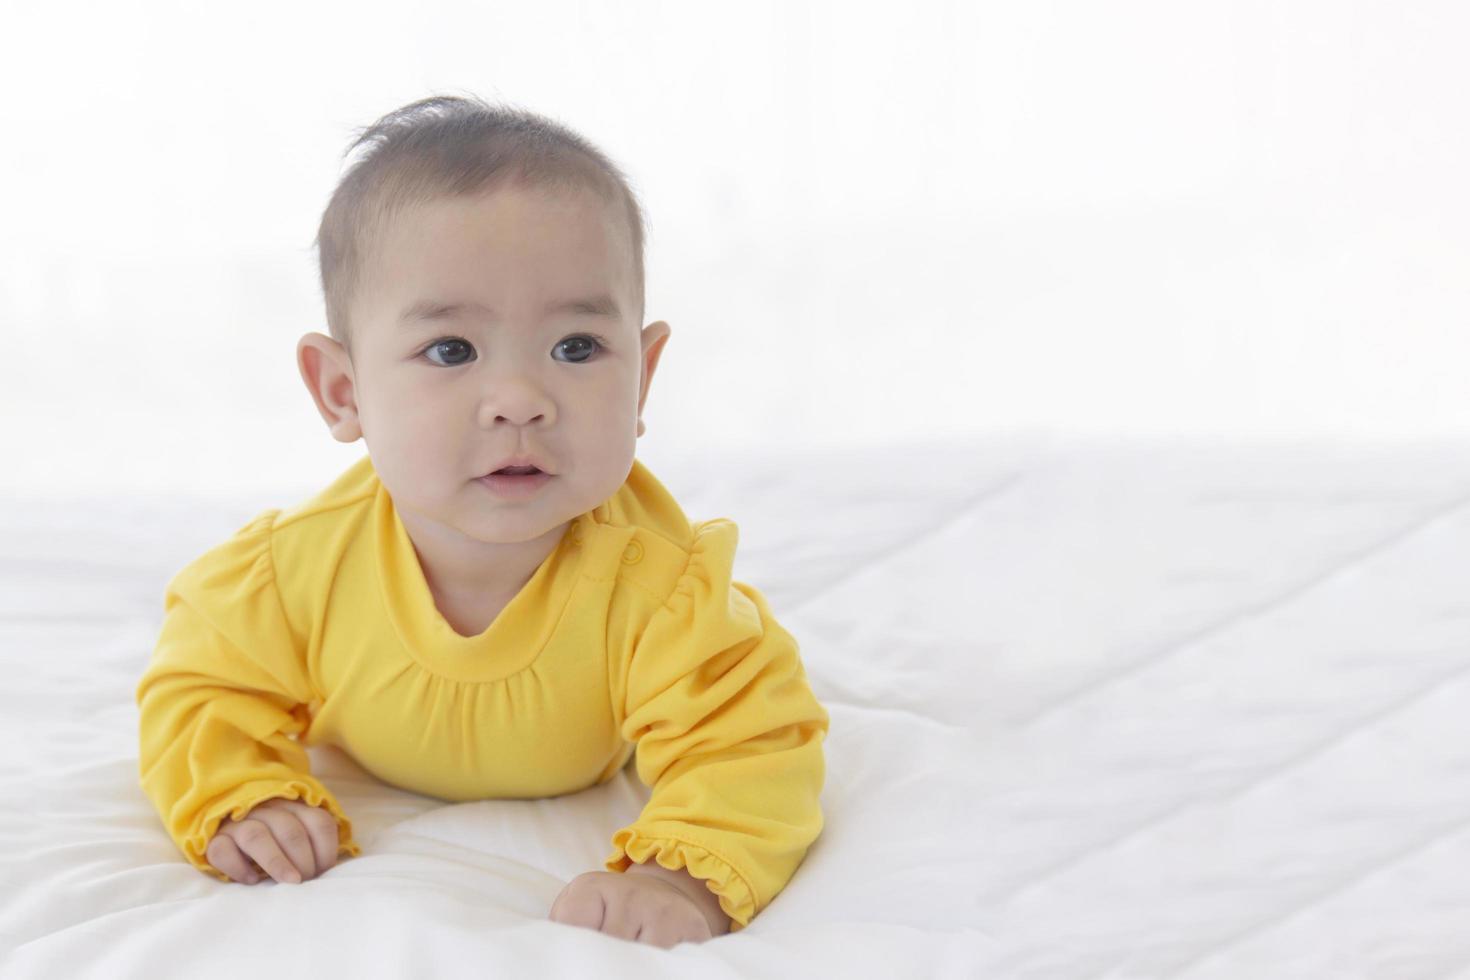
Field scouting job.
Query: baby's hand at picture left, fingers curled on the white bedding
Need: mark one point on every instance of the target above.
(284, 838)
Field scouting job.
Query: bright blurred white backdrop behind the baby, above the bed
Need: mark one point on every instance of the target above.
(867, 224)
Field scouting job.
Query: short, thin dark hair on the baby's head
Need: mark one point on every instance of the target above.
(451, 146)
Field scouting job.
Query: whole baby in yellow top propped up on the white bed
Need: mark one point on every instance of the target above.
(499, 600)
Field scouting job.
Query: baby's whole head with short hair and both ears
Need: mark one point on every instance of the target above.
(484, 284)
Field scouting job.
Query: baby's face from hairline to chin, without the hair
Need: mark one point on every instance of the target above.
(542, 356)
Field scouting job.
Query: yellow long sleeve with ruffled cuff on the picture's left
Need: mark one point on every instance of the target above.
(221, 699)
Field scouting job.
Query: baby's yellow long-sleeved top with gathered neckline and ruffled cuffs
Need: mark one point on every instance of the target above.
(315, 625)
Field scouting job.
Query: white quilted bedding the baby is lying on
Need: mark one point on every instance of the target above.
(1099, 710)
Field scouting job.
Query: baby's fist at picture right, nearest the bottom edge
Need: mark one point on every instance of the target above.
(639, 907)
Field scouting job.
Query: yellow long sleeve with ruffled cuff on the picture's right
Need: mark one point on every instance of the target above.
(728, 737)
